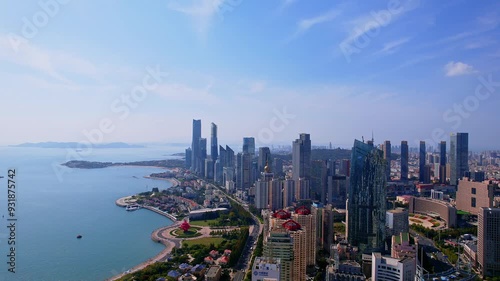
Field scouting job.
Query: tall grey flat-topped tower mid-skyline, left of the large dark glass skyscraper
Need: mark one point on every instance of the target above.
(301, 157)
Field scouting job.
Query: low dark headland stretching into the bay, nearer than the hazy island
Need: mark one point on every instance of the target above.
(169, 163)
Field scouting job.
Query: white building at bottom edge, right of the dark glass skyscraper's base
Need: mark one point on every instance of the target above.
(391, 269)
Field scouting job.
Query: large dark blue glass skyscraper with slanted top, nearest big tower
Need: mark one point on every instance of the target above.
(366, 202)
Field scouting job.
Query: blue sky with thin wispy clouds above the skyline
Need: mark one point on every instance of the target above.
(406, 70)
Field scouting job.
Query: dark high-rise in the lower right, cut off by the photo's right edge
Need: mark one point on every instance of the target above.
(488, 241)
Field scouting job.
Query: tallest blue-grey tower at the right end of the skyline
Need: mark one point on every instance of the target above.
(459, 156)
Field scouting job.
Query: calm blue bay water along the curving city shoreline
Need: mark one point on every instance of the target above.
(52, 212)
